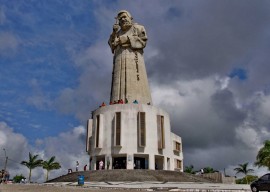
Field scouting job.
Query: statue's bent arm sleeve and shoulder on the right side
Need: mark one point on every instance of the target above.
(139, 38)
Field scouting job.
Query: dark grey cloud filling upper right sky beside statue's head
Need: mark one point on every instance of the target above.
(206, 37)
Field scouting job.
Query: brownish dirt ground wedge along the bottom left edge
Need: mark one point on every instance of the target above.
(41, 188)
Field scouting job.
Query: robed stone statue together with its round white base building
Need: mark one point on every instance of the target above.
(133, 133)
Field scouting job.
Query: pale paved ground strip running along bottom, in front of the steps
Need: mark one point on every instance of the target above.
(124, 186)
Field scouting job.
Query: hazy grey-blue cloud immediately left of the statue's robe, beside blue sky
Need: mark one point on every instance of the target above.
(96, 65)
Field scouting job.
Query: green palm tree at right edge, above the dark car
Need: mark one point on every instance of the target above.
(263, 156)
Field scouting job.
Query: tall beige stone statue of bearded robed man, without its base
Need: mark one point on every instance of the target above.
(129, 79)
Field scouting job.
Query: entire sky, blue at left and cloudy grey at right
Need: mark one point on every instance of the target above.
(207, 63)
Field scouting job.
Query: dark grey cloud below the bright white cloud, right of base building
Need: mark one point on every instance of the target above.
(214, 124)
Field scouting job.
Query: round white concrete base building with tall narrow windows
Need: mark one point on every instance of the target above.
(102, 143)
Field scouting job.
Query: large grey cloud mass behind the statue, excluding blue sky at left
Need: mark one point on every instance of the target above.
(193, 47)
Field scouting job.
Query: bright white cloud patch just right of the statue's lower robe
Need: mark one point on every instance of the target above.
(184, 97)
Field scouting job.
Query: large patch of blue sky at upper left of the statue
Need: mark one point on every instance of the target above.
(38, 65)
